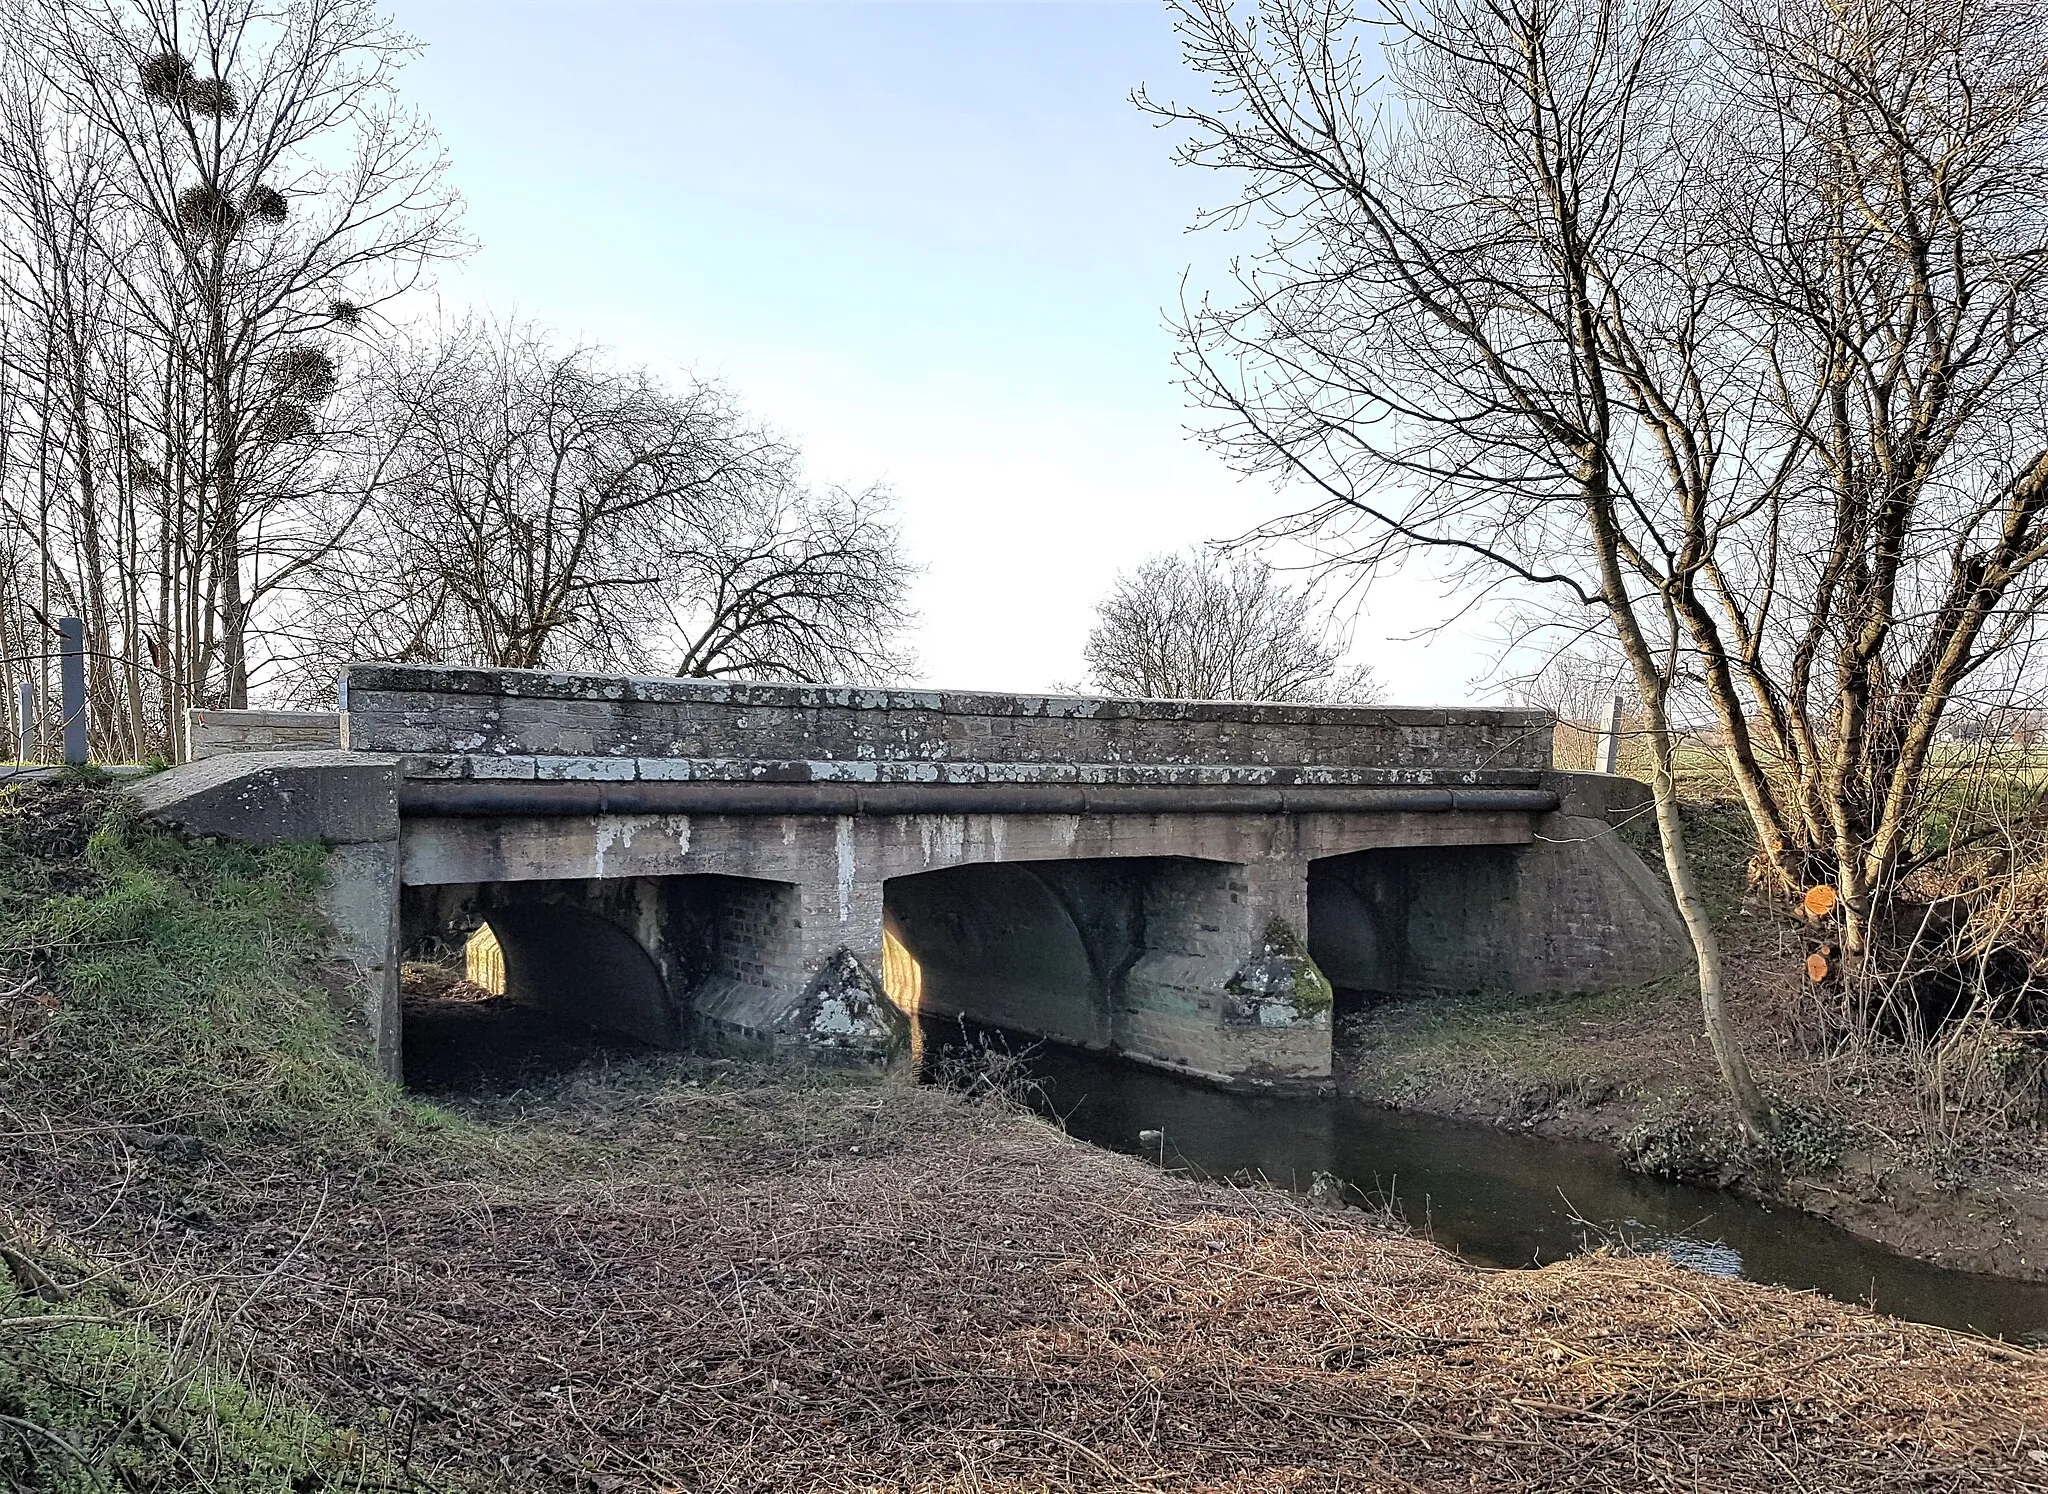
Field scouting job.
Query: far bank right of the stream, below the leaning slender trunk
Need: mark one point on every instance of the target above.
(1867, 1147)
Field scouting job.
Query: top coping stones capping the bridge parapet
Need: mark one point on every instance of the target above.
(445, 679)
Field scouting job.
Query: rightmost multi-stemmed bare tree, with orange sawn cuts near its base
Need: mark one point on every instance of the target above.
(1887, 222)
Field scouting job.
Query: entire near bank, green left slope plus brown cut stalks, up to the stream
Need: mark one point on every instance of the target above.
(687, 1274)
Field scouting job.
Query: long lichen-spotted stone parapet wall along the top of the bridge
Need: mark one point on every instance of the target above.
(439, 712)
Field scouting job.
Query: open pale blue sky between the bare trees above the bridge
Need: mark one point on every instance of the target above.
(931, 241)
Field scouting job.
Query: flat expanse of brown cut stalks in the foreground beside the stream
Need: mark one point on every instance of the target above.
(703, 1280)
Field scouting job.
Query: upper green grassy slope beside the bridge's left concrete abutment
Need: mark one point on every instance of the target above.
(165, 983)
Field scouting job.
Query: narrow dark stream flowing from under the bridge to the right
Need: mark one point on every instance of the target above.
(1494, 1198)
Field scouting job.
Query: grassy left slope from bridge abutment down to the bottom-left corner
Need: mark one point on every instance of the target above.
(167, 1030)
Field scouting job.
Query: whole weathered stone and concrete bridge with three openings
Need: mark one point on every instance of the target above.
(796, 870)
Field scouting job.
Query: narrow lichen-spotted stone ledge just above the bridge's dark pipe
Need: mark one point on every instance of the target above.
(589, 770)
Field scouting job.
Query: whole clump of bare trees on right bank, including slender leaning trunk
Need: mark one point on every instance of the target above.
(1721, 327)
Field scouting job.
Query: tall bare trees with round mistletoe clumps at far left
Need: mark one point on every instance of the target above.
(202, 204)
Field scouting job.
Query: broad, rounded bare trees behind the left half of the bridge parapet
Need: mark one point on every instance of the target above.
(538, 507)
